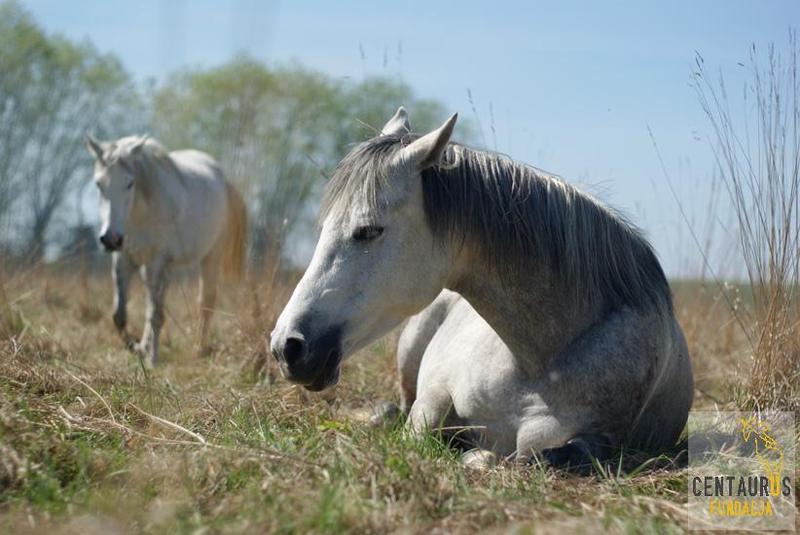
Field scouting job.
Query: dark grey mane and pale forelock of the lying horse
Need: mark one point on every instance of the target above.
(515, 215)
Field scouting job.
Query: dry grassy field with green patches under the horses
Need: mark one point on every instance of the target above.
(91, 443)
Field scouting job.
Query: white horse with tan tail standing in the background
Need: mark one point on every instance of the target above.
(162, 210)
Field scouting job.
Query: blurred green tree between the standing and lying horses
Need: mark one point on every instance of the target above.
(278, 132)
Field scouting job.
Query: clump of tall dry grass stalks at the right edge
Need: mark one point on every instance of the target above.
(759, 162)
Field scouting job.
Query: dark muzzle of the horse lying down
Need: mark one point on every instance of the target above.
(313, 363)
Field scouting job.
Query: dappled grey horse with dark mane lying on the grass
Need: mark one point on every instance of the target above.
(574, 348)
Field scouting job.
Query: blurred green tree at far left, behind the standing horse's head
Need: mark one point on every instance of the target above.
(52, 91)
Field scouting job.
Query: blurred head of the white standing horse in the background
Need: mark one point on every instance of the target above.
(115, 177)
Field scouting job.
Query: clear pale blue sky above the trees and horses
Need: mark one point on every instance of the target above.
(572, 85)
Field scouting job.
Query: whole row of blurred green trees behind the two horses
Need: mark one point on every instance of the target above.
(278, 131)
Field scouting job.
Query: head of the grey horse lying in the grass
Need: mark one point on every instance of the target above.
(376, 261)
